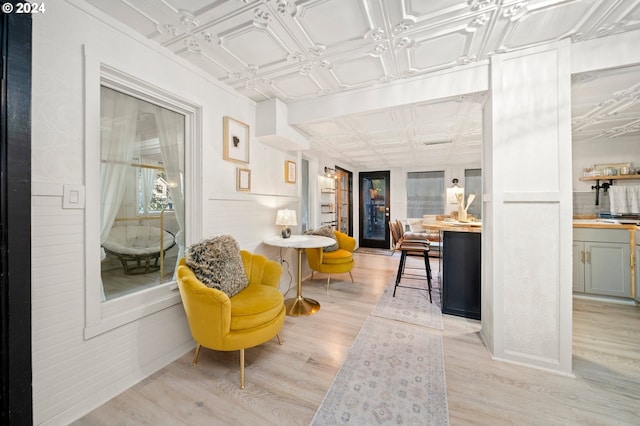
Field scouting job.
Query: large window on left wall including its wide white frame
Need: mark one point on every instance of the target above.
(143, 156)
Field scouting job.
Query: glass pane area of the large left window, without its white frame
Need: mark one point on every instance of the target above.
(142, 192)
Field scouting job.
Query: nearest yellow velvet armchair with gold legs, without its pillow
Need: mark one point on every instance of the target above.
(251, 317)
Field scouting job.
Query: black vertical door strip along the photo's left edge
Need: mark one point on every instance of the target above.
(15, 220)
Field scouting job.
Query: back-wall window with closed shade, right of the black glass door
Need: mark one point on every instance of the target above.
(425, 193)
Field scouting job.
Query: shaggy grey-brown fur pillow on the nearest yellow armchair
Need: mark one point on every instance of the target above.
(218, 264)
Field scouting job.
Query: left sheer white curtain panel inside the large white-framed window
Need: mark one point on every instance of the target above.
(118, 117)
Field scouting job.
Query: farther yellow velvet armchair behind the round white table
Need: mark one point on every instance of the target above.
(333, 262)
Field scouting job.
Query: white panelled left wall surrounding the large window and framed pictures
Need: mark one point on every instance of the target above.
(71, 374)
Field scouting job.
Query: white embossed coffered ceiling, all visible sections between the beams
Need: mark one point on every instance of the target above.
(300, 50)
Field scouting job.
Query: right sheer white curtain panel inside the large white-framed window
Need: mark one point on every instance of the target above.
(171, 134)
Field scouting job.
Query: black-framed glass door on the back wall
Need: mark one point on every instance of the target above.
(374, 209)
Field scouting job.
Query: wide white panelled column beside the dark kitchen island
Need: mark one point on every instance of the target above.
(527, 299)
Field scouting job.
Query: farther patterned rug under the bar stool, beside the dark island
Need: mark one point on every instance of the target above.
(410, 305)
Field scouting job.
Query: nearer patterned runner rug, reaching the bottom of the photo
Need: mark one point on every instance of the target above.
(393, 374)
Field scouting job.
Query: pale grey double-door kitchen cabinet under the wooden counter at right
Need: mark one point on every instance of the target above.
(601, 262)
